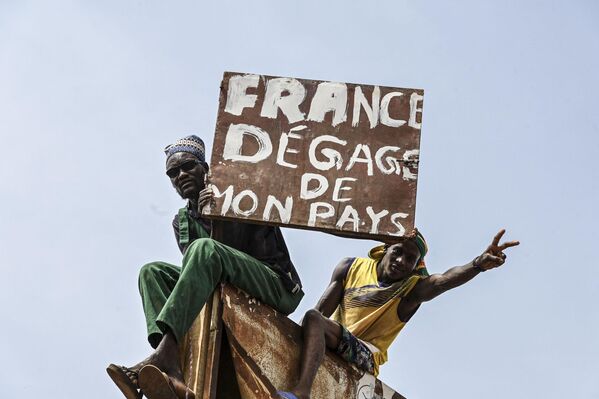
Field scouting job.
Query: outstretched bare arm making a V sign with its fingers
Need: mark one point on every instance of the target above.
(437, 284)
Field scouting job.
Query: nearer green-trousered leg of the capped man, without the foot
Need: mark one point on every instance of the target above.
(207, 263)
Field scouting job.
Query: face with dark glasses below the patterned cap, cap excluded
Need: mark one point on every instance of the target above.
(186, 173)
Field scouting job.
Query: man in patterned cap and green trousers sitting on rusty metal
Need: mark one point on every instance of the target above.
(251, 257)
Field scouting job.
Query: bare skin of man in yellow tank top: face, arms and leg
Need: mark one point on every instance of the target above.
(399, 261)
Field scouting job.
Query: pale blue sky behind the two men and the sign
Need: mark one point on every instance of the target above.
(91, 92)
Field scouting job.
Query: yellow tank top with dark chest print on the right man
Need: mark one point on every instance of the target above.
(369, 310)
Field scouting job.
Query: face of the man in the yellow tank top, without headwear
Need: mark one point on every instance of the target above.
(399, 261)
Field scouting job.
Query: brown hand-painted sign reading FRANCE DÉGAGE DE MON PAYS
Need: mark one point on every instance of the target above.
(328, 156)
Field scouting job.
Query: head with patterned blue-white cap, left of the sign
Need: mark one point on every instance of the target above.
(186, 166)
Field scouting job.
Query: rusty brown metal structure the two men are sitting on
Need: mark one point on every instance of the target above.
(239, 348)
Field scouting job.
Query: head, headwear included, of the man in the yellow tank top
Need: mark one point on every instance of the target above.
(401, 259)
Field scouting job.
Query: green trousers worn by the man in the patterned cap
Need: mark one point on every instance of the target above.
(173, 296)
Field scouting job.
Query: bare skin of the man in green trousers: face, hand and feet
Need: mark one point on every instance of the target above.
(189, 181)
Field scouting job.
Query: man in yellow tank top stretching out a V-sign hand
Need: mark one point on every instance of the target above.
(373, 298)
